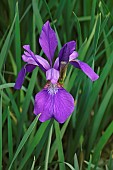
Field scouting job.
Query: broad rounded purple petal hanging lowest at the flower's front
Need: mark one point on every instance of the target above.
(58, 105)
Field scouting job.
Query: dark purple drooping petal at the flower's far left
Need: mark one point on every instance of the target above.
(21, 75)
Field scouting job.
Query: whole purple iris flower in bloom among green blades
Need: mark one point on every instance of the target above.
(53, 101)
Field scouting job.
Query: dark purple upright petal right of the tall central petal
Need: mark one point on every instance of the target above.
(66, 51)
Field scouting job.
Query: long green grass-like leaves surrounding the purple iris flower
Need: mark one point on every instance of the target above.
(25, 143)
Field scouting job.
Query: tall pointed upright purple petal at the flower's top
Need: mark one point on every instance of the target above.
(48, 41)
